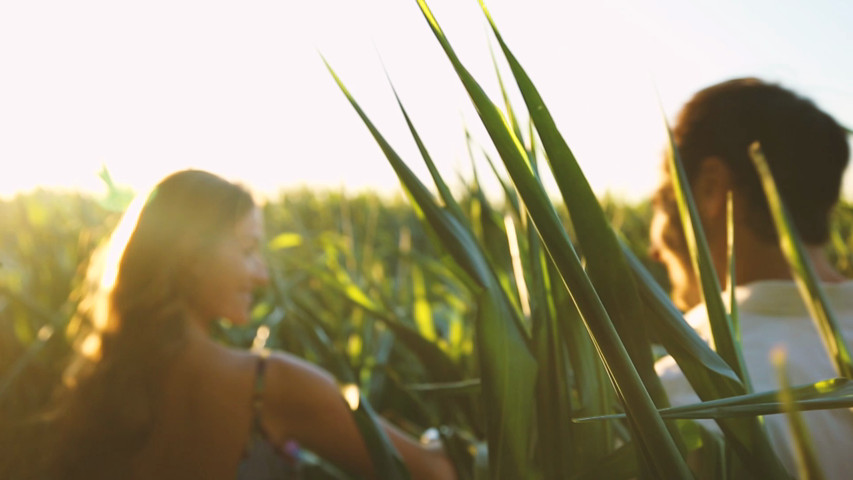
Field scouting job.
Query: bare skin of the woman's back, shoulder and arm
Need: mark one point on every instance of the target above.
(206, 417)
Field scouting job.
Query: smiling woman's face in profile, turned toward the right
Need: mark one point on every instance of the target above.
(226, 277)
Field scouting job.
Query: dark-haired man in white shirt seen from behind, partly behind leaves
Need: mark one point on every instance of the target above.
(807, 152)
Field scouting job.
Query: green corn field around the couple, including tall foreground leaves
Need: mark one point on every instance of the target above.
(497, 322)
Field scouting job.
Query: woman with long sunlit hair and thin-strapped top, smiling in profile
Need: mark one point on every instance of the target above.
(158, 398)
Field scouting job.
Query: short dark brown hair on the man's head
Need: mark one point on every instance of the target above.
(806, 150)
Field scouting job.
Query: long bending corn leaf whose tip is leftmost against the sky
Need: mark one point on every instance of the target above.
(508, 369)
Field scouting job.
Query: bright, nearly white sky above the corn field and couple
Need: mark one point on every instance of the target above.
(238, 87)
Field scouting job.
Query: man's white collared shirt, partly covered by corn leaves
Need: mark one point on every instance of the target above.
(772, 315)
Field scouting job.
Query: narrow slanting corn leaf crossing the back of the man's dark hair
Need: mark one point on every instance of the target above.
(804, 274)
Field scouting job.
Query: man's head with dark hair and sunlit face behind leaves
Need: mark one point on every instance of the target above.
(806, 149)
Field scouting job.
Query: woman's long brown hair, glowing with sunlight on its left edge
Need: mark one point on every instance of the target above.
(133, 321)
